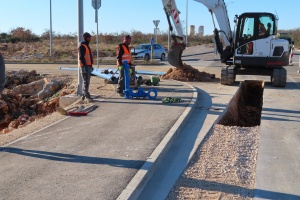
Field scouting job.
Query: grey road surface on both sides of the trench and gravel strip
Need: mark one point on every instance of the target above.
(278, 162)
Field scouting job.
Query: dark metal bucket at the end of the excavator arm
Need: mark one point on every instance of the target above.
(174, 55)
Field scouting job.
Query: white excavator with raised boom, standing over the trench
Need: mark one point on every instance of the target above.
(252, 48)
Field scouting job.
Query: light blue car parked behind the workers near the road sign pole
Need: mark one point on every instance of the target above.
(143, 51)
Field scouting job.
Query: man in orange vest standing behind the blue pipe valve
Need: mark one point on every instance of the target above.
(123, 53)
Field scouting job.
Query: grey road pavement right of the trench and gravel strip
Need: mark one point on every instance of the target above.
(278, 164)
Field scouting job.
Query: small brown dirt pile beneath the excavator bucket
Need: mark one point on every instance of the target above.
(188, 74)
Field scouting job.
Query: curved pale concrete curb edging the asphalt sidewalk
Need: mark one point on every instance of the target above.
(141, 178)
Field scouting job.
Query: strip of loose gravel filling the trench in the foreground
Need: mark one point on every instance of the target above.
(223, 166)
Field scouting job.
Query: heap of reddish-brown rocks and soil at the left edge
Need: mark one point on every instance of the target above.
(29, 96)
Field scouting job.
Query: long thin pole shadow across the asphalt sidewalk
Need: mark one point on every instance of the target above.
(134, 164)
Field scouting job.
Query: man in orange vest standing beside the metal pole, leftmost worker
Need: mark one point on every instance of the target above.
(86, 62)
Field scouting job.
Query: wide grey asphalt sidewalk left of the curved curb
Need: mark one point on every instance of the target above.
(92, 157)
